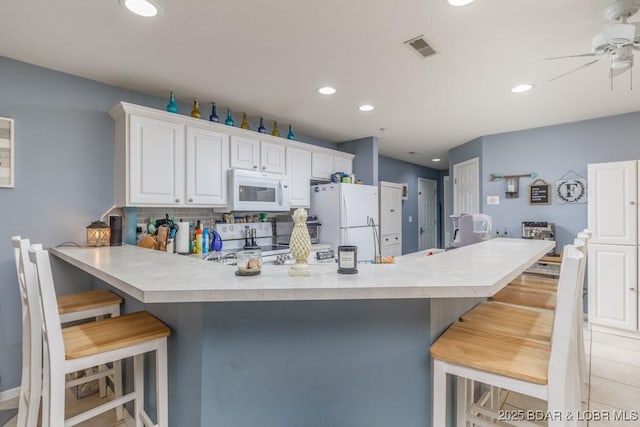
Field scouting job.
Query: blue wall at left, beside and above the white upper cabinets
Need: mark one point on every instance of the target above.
(64, 155)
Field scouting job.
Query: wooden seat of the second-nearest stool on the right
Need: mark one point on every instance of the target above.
(511, 320)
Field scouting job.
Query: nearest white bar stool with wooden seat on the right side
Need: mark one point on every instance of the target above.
(516, 363)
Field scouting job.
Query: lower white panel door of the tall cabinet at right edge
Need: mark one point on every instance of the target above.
(613, 280)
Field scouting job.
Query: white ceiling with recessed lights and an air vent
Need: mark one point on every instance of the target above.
(268, 58)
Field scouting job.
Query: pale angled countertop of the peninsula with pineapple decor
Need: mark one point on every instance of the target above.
(150, 276)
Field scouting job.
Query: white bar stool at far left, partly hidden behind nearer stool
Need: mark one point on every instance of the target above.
(79, 306)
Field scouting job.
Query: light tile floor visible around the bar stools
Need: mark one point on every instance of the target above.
(614, 364)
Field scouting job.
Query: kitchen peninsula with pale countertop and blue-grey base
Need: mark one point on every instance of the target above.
(324, 350)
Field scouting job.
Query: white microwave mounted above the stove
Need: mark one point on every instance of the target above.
(258, 191)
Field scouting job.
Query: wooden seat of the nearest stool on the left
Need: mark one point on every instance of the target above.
(91, 338)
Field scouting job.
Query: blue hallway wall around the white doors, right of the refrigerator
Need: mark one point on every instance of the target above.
(393, 170)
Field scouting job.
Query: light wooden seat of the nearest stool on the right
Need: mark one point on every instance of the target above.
(504, 355)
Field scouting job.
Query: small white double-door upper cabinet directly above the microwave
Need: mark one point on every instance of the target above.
(253, 154)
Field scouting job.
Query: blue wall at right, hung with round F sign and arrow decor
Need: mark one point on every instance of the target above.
(551, 152)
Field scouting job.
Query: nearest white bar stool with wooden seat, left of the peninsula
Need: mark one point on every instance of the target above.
(96, 343)
